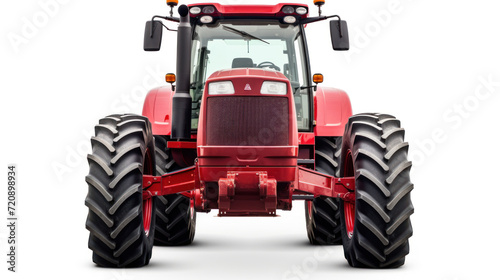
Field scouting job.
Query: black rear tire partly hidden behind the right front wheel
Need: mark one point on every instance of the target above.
(323, 214)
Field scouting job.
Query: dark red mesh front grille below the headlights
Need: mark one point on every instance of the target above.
(247, 121)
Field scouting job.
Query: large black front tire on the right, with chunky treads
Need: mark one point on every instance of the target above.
(376, 227)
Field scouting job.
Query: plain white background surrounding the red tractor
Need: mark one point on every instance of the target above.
(82, 60)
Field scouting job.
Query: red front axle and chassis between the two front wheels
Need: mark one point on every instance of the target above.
(307, 185)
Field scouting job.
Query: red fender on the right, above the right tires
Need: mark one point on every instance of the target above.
(332, 109)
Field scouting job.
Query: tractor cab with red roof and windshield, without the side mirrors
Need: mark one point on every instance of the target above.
(269, 39)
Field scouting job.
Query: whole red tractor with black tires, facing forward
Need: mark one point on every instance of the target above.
(247, 130)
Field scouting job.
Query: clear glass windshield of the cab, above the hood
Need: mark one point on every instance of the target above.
(250, 44)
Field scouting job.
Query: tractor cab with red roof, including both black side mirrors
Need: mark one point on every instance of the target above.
(223, 37)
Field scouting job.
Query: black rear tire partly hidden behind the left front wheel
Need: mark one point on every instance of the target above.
(175, 216)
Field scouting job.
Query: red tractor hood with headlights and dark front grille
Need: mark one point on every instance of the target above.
(245, 108)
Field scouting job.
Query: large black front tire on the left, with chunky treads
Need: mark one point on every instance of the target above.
(119, 219)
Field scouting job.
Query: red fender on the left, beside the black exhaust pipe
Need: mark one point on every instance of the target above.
(158, 109)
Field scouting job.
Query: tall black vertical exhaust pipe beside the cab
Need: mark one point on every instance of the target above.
(181, 103)
